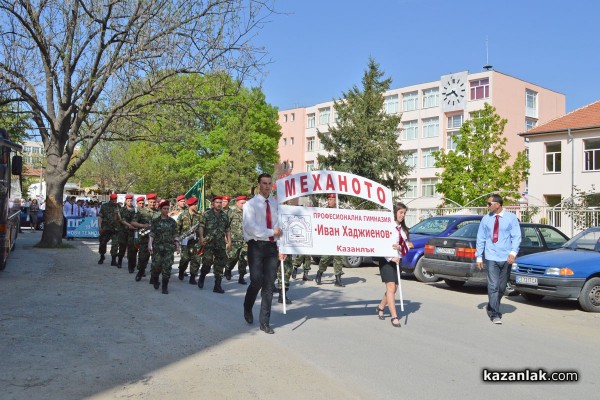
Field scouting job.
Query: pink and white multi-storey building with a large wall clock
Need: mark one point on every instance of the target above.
(432, 114)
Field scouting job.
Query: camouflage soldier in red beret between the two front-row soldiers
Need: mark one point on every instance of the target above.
(189, 253)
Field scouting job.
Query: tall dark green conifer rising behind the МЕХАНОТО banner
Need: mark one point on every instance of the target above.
(364, 139)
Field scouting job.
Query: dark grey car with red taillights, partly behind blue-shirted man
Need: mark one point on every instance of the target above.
(453, 258)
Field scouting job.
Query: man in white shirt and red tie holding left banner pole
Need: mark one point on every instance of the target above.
(261, 230)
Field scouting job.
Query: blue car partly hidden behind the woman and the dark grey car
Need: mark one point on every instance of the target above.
(419, 235)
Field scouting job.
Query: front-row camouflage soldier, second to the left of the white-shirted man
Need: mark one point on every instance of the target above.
(215, 236)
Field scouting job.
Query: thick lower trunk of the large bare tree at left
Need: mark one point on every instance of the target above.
(53, 225)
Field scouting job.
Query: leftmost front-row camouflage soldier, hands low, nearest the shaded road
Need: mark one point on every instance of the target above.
(163, 241)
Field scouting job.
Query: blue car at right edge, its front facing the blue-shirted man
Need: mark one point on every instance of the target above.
(571, 272)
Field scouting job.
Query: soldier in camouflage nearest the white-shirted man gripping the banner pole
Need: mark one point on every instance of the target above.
(239, 248)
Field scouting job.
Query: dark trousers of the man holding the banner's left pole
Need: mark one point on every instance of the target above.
(262, 261)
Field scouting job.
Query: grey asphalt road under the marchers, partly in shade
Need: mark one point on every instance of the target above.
(71, 329)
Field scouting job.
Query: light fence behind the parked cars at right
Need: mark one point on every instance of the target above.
(570, 222)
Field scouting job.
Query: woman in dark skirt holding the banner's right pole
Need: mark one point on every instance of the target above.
(389, 268)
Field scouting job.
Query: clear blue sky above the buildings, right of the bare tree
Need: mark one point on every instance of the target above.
(319, 49)
